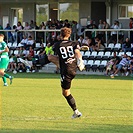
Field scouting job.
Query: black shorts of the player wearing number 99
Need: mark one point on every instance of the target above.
(66, 80)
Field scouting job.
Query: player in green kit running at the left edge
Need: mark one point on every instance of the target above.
(4, 60)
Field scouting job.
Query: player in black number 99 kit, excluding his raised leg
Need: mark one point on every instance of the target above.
(69, 58)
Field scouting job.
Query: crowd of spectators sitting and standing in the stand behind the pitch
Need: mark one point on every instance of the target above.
(93, 41)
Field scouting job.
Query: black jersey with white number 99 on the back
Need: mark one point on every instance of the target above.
(66, 52)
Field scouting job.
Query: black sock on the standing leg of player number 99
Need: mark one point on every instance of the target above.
(71, 102)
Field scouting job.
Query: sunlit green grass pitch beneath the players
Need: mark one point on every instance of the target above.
(34, 104)
